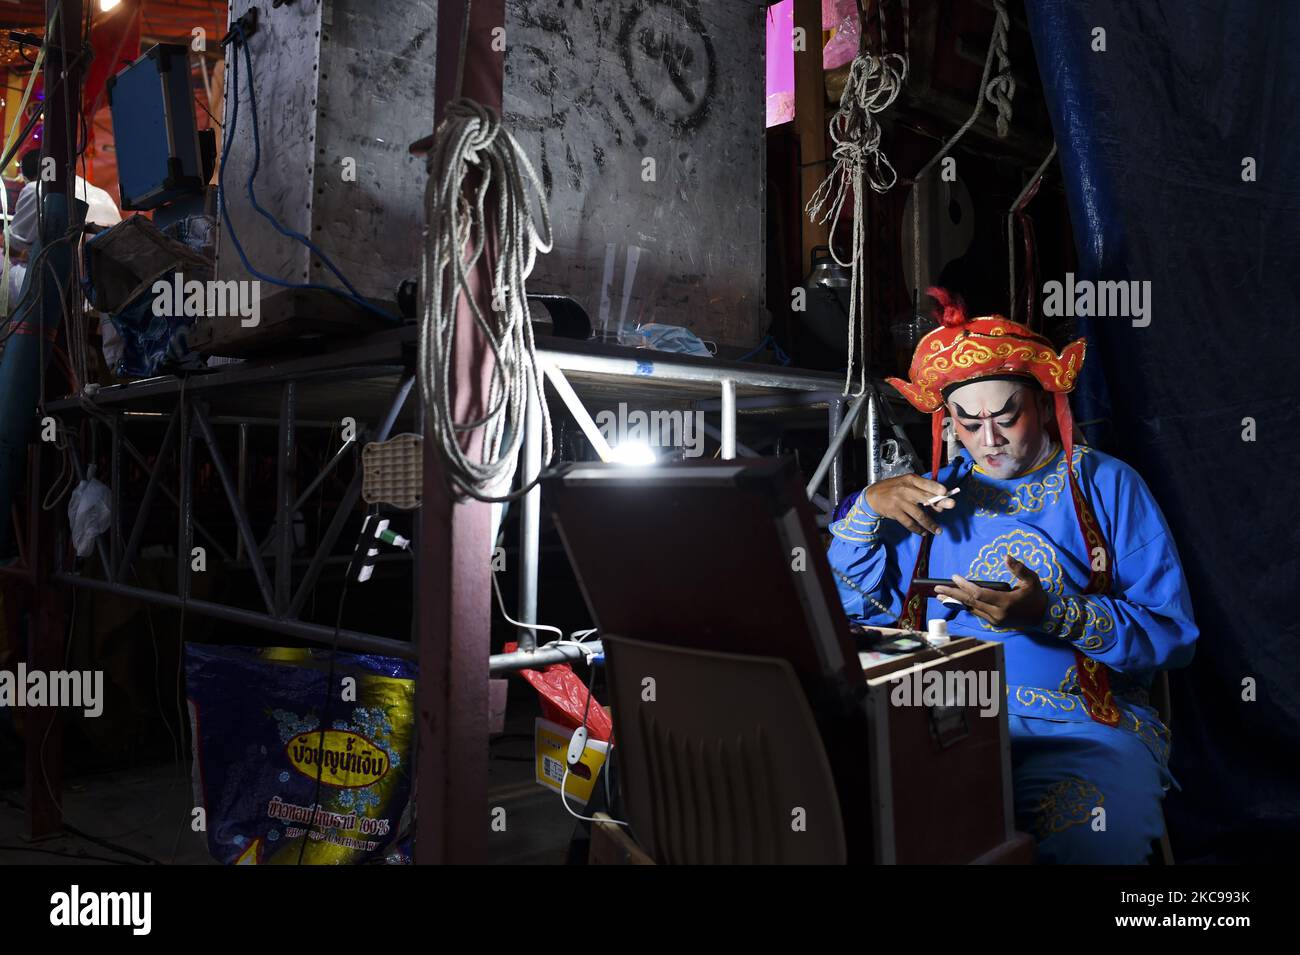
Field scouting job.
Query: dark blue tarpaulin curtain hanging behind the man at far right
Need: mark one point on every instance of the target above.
(1152, 136)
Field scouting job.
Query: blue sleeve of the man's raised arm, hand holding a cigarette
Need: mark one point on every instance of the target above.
(866, 557)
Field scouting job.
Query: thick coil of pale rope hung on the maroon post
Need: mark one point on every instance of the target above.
(465, 210)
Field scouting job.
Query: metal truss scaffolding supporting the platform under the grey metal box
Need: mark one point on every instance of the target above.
(371, 381)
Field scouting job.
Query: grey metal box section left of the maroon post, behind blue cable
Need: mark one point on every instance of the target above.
(335, 80)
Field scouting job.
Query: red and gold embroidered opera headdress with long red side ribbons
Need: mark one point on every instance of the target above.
(965, 350)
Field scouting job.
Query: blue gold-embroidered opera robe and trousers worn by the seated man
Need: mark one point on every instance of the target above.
(1065, 765)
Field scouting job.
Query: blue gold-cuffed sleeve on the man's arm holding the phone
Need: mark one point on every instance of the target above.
(1146, 623)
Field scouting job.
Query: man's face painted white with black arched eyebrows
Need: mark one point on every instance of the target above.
(1002, 426)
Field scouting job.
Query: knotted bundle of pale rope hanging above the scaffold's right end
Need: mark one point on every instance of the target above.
(874, 84)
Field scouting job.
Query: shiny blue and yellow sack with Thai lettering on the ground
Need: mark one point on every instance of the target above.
(259, 750)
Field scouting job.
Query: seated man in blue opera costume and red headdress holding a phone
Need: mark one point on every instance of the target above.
(1099, 604)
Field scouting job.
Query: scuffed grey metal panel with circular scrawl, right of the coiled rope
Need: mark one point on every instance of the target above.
(596, 88)
